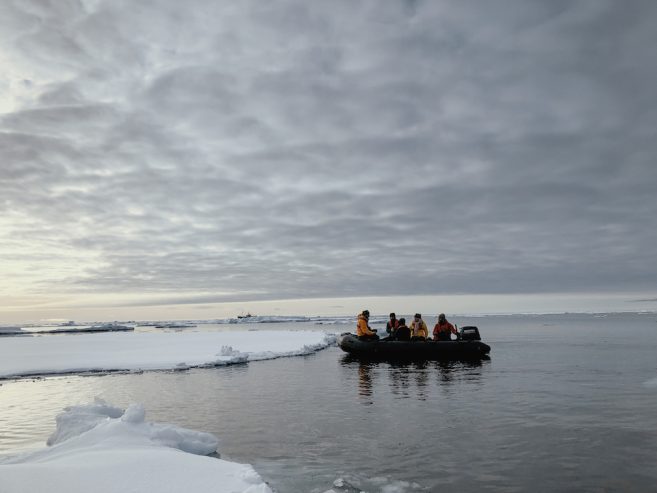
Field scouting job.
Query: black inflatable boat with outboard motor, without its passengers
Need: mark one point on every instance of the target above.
(468, 346)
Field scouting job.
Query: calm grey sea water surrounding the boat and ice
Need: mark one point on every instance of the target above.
(566, 403)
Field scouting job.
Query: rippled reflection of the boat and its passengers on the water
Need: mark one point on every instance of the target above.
(412, 379)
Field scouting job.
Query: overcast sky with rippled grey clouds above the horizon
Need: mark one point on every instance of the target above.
(213, 156)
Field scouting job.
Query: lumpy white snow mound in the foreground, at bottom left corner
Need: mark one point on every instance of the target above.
(101, 449)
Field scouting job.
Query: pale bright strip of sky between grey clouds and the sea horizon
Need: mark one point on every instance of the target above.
(459, 305)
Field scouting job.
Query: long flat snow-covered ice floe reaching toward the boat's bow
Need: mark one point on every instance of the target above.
(132, 351)
